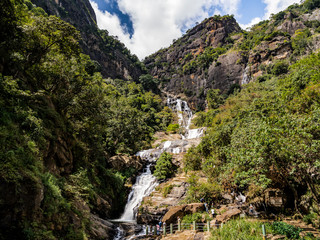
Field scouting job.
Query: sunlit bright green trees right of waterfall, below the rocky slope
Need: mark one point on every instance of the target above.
(267, 135)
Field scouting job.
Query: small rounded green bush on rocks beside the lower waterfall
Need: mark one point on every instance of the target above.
(164, 167)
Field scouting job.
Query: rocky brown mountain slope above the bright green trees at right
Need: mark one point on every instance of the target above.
(217, 54)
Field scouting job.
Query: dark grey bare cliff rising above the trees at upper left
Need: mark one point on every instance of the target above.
(113, 58)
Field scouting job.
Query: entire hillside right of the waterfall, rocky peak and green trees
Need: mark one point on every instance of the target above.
(262, 139)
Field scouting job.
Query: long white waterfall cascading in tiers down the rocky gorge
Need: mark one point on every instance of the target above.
(146, 182)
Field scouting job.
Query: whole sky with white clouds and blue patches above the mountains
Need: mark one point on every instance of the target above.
(145, 26)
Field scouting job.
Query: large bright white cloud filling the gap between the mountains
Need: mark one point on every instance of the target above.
(157, 22)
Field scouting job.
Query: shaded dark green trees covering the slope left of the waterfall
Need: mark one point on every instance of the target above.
(60, 122)
